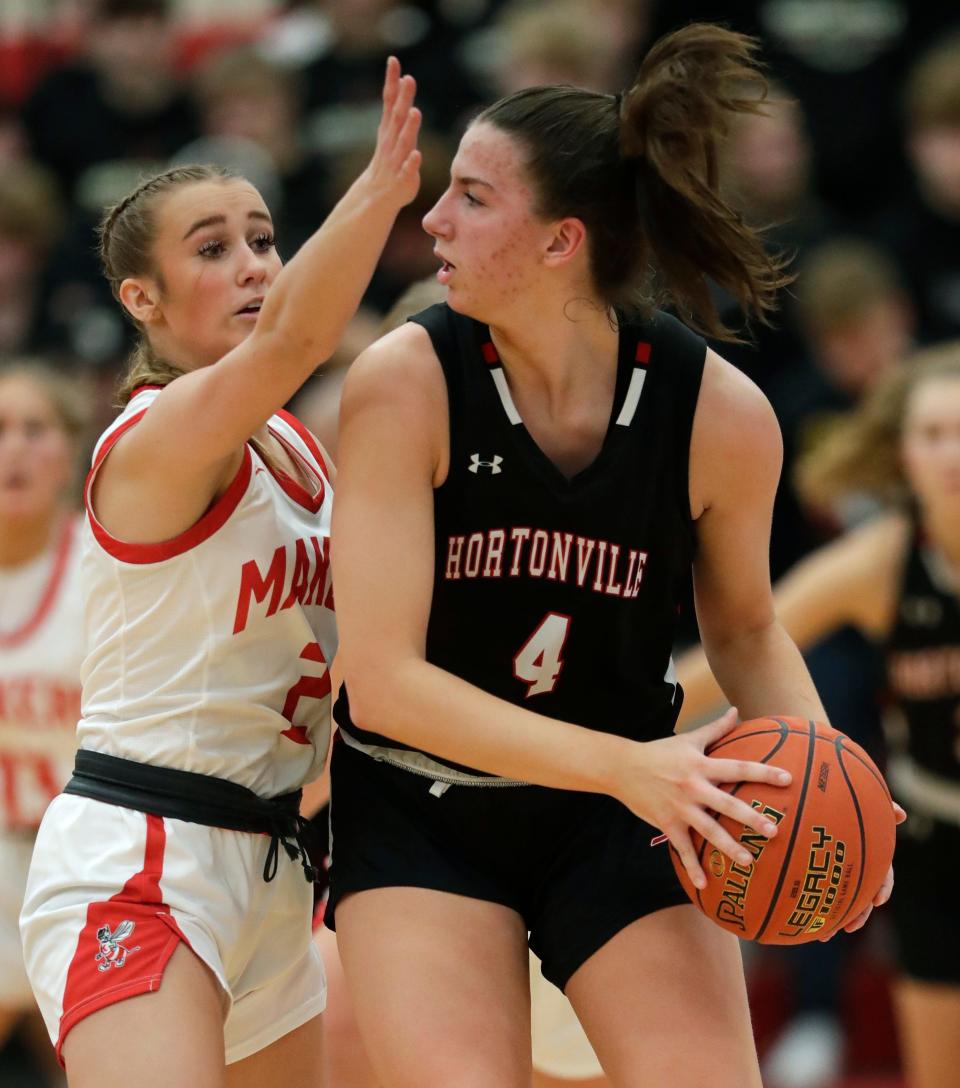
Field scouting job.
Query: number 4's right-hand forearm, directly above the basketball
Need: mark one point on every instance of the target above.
(762, 673)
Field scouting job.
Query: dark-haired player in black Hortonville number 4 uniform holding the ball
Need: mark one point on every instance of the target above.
(527, 474)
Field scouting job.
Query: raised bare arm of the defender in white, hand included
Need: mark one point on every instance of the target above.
(190, 441)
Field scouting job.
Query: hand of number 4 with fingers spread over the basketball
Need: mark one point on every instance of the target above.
(673, 785)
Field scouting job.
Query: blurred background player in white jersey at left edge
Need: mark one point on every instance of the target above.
(41, 635)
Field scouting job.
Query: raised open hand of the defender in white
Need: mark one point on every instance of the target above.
(393, 172)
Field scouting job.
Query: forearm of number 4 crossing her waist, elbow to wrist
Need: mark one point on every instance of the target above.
(436, 712)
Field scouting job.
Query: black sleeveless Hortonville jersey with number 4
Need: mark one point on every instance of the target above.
(562, 595)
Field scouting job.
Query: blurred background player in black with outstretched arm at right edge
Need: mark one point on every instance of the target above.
(897, 580)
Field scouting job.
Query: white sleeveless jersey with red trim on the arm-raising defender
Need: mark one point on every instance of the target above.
(208, 652)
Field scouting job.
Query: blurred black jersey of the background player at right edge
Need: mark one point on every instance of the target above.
(924, 665)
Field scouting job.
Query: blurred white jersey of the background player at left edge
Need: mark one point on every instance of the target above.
(41, 658)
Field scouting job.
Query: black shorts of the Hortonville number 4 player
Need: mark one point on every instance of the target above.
(577, 868)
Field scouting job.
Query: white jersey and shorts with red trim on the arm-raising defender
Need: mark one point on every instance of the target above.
(207, 653)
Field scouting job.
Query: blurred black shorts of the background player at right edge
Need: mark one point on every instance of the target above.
(927, 892)
